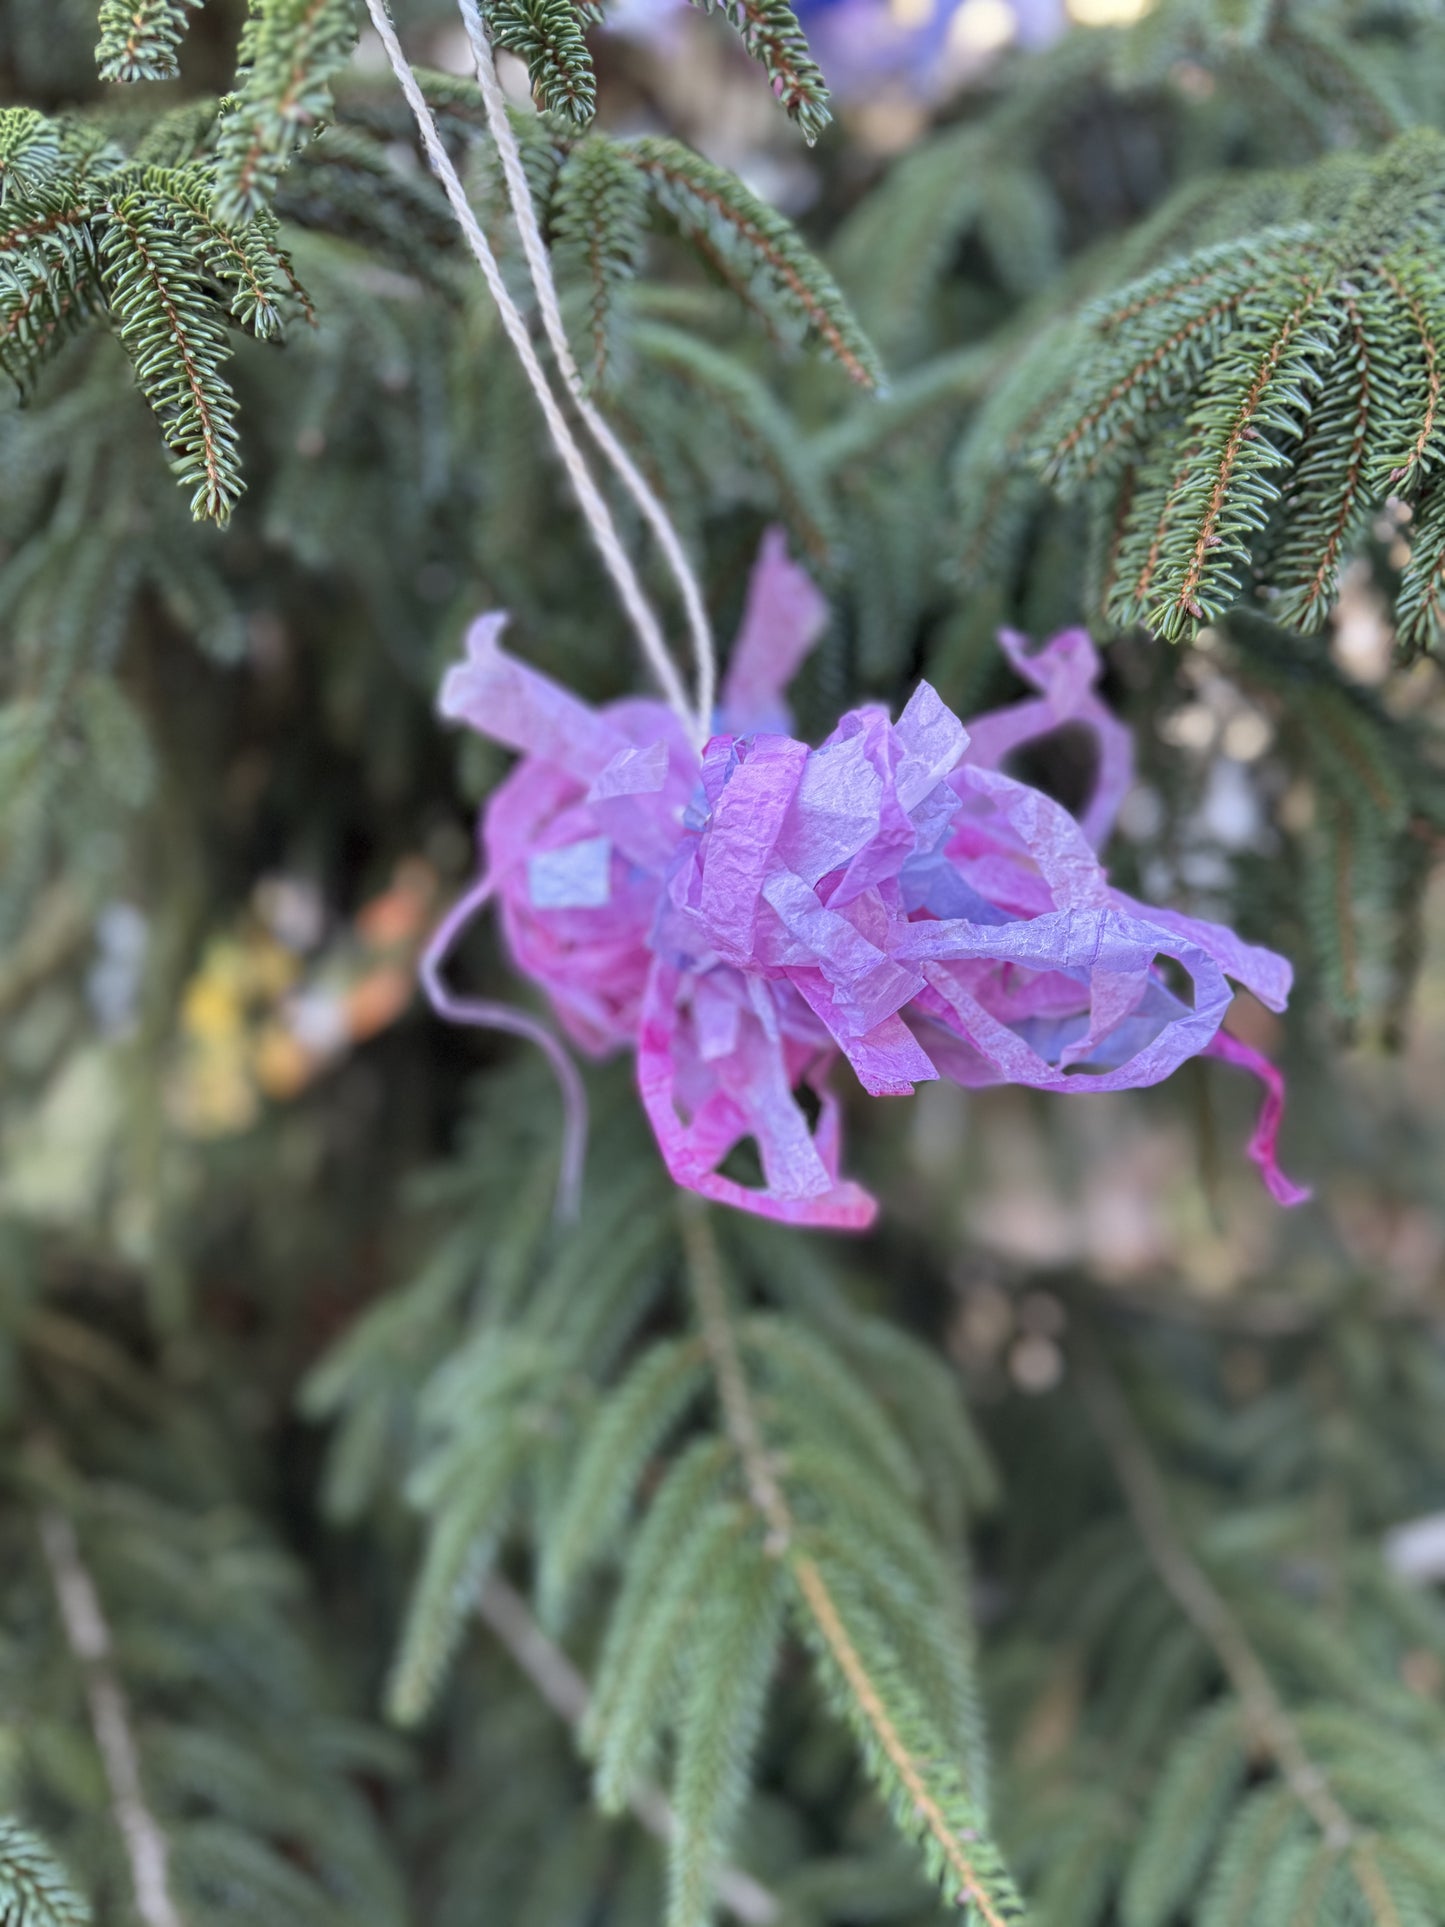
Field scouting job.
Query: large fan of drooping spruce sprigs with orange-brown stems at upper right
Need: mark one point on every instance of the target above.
(1236, 419)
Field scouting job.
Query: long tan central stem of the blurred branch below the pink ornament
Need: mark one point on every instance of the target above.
(930, 1793)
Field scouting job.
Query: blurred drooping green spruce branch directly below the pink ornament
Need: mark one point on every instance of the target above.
(552, 1417)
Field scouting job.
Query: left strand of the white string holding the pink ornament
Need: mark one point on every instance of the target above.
(594, 508)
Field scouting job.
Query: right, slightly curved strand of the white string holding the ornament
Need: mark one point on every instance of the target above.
(535, 250)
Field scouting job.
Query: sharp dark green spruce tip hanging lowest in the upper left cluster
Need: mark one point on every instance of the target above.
(176, 344)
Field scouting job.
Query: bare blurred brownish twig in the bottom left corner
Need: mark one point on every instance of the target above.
(90, 1639)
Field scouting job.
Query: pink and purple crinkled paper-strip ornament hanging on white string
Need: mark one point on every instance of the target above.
(893, 897)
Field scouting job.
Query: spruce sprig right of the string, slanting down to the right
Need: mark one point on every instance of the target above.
(747, 240)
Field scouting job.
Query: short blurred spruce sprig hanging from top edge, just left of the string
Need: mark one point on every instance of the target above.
(290, 53)
